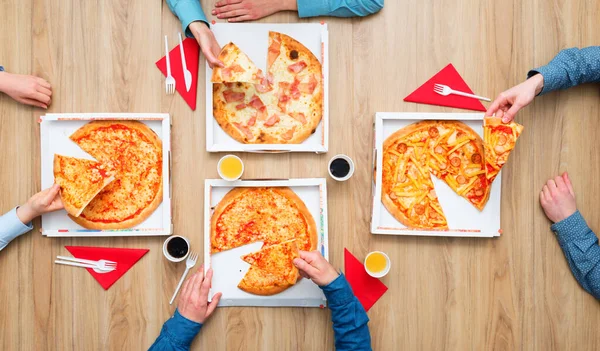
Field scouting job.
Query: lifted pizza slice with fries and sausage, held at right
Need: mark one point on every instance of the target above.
(499, 139)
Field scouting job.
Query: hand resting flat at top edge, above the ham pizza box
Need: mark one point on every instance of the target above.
(247, 10)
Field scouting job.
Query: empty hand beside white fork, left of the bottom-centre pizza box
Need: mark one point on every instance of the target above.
(193, 302)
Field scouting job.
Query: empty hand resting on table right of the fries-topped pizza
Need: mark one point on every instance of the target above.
(558, 198)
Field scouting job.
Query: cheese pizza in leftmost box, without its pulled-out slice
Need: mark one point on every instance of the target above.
(135, 152)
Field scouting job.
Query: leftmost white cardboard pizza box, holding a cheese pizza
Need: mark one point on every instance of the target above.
(55, 129)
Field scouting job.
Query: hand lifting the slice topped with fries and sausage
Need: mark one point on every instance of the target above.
(509, 102)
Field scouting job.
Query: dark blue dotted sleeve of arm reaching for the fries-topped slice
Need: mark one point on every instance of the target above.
(569, 68)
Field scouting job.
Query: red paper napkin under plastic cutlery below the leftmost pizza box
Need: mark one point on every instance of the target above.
(125, 258)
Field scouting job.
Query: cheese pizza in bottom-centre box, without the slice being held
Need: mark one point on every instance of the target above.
(272, 215)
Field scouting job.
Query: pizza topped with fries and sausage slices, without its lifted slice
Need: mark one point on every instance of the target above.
(451, 151)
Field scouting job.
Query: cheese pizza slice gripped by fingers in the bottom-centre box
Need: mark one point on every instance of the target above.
(277, 260)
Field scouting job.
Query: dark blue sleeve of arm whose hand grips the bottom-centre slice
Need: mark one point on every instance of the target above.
(348, 316)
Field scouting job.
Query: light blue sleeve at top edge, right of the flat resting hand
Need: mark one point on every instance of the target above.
(338, 8)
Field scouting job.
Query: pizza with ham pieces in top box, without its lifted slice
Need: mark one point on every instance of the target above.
(285, 106)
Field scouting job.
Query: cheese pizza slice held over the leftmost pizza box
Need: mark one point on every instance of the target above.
(80, 181)
